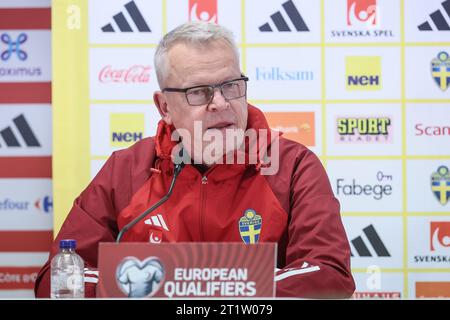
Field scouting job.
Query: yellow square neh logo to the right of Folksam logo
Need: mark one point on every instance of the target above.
(363, 73)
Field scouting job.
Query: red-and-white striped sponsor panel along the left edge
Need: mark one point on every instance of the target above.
(26, 213)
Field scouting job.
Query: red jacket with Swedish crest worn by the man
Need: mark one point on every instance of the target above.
(297, 208)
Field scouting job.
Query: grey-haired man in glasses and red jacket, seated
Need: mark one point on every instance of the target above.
(198, 70)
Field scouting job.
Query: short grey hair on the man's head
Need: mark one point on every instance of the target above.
(191, 33)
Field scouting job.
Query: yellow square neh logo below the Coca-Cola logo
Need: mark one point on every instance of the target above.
(126, 128)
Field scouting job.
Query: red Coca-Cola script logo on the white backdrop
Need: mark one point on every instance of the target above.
(134, 74)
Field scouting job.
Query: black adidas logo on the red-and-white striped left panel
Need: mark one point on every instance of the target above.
(21, 124)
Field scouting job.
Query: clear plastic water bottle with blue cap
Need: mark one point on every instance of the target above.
(67, 272)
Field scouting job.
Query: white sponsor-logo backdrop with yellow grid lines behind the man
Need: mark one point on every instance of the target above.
(363, 83)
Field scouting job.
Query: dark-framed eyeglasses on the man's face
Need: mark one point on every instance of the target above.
(203, 95)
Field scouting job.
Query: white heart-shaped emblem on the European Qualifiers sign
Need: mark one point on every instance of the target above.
(138, 279)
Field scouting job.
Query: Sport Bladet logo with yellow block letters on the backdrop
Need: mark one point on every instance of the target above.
(363, 130)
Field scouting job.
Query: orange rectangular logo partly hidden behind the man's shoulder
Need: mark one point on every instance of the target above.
(296, 126)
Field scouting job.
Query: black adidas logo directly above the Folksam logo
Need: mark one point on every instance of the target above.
(281, 23)
